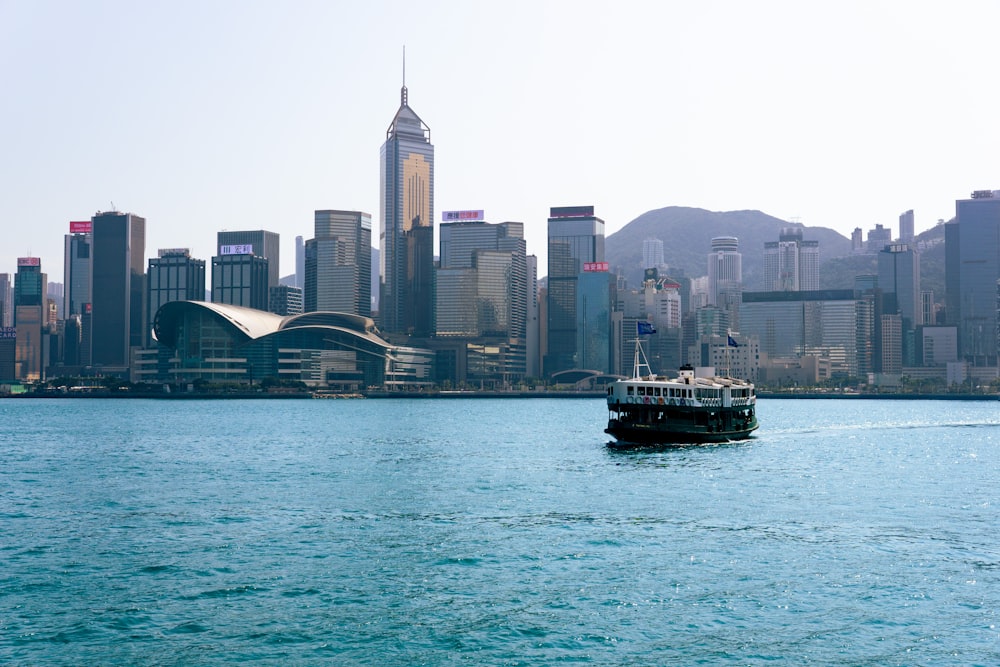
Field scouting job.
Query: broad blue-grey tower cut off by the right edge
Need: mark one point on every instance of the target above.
(972, 268)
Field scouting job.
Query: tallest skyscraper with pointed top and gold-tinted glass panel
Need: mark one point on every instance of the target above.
(406, 228)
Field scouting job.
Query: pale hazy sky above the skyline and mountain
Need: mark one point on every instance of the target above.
(211, 115)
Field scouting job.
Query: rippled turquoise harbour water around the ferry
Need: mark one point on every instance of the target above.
(500, 532)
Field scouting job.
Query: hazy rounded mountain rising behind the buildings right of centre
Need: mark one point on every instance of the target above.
(687, 235)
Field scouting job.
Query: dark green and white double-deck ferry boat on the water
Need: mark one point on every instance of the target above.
(647, 409)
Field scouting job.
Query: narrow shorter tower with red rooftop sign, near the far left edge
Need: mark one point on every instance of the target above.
(30, 319)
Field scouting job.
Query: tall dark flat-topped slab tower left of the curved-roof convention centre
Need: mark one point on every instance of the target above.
(118, 288)
